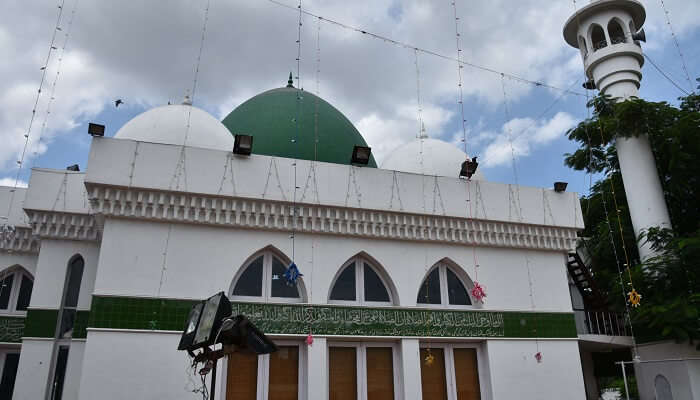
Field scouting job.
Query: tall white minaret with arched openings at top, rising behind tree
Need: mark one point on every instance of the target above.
(607, 32)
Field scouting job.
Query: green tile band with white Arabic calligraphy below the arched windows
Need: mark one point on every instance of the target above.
(165, 314)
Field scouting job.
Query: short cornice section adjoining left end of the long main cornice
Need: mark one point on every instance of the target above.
(61, 225)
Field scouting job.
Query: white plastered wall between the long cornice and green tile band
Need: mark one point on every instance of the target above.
(202, 260)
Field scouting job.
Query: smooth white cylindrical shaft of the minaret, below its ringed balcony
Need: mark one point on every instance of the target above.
(645, 196)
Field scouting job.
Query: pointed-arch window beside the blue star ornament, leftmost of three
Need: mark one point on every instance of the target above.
(262, 278)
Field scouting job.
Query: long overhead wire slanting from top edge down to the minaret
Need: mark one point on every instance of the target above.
(426, 51)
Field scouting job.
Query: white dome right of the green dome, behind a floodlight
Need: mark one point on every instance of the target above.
(439, 159)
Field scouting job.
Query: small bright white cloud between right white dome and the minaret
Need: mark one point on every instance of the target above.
(518, 137)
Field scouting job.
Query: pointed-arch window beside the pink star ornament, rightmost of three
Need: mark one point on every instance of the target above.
(445, 284)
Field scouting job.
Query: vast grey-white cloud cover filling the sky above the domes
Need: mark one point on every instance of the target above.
(145, 52)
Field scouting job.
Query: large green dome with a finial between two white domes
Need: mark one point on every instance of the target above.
(270, 118)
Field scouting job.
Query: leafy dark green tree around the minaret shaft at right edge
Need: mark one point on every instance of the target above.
(668, 282)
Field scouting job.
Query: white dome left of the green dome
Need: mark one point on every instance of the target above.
(168, 125)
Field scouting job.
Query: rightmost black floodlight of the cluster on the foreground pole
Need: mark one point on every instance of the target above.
(241, 332)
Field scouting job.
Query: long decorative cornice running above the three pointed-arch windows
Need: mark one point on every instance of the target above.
(323, 219)
